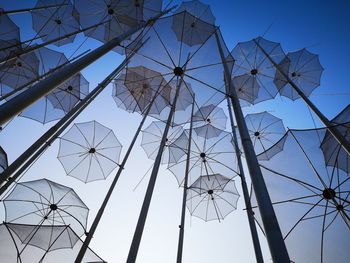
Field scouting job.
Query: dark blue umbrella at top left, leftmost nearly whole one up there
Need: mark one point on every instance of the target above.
(55, 22)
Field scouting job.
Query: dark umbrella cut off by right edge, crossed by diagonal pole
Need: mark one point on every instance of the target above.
(334, 154)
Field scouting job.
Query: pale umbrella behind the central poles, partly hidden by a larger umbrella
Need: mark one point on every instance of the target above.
(152, 136)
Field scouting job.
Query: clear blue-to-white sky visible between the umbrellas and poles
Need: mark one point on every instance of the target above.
(321, 26)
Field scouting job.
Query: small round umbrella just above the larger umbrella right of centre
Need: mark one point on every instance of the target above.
(209, 121)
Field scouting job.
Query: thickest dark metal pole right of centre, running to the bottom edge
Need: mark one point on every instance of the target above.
(273, 232)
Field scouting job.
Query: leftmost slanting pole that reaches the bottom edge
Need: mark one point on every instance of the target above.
(99, 214)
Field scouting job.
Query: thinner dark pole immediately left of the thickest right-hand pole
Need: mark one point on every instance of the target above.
(250, 213)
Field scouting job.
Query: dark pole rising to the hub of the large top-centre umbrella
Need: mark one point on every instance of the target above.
(152, 181)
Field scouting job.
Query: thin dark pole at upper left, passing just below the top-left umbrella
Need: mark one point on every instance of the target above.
(28, 49)
